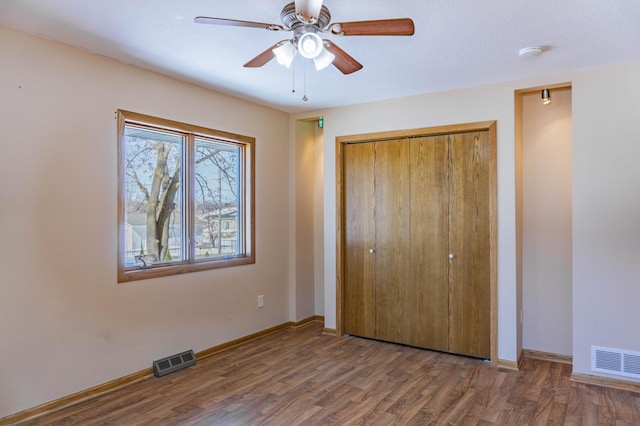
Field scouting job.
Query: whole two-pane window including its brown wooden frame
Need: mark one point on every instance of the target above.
(185, 198)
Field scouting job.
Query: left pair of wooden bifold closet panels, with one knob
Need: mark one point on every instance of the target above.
(377, 296)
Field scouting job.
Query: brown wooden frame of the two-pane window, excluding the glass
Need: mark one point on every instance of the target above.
(246, 225)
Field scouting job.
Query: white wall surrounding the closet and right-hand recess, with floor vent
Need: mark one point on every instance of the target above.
(606, 204)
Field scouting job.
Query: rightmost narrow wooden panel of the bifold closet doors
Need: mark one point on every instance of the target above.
(469, 269)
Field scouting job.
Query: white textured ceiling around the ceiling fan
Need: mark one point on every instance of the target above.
(457, 43)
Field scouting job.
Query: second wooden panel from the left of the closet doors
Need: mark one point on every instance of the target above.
(392, 243)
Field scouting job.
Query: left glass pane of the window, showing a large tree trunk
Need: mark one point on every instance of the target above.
(153, 197)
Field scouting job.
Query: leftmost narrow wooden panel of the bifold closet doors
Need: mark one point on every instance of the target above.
(359, 237)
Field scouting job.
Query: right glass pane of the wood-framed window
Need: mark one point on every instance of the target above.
(218, 210)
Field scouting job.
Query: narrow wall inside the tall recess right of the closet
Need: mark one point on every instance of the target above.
(547, 243)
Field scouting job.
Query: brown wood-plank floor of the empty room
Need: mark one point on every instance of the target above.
(302, 377)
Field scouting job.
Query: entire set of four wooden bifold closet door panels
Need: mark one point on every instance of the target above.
(416, 241)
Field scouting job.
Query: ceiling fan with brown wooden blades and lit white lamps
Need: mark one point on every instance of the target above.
(307, 19)
